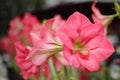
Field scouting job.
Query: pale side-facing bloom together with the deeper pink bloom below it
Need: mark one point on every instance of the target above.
(45, 43)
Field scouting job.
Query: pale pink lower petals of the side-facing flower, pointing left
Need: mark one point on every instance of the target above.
(35, 54)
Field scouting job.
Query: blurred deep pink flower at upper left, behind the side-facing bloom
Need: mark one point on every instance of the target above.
(30, 23)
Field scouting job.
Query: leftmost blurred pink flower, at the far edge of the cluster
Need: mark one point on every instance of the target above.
(7, 41)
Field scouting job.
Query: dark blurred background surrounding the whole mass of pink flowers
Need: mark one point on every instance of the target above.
(45, 9)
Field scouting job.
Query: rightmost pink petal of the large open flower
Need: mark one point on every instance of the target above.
(103, 51)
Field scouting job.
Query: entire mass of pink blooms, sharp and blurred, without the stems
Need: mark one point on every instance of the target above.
(73, 42)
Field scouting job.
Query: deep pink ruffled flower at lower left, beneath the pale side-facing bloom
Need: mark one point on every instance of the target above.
(28, 69)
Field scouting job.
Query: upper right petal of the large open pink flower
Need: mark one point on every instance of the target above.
(90, 32)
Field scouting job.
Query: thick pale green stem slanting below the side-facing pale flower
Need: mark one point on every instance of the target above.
(52, 68)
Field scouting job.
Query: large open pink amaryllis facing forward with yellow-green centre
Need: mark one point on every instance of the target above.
(84, 43)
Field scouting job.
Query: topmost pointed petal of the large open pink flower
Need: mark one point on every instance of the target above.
(77, 20)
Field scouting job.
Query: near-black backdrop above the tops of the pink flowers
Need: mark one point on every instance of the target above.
(9, 10)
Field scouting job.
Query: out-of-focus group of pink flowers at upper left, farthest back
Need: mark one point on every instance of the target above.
(19, 30)
